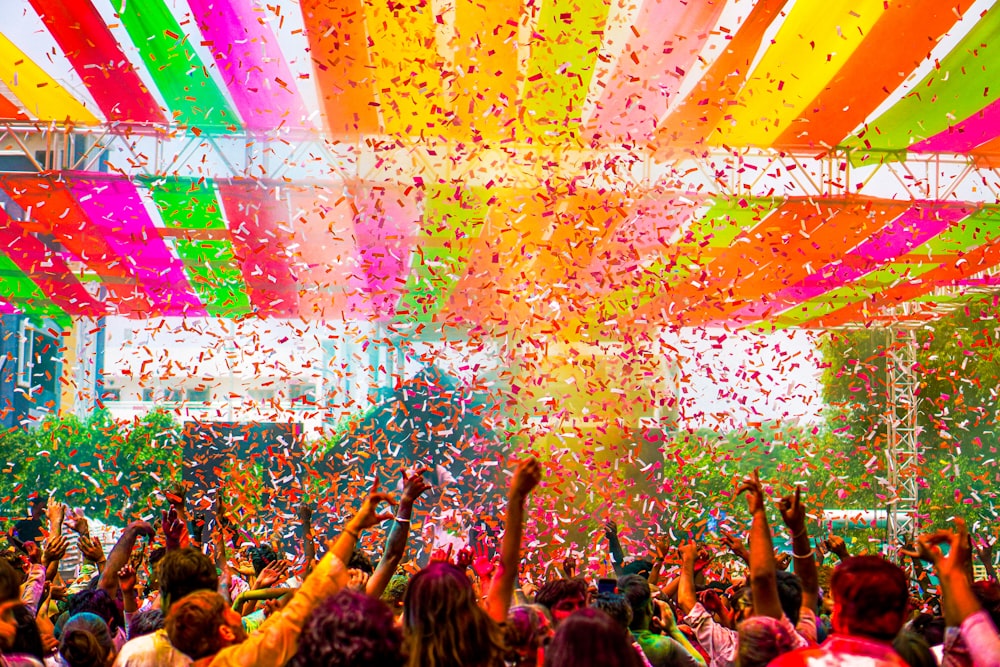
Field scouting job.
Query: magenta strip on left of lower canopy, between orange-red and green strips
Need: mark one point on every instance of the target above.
(112, 205)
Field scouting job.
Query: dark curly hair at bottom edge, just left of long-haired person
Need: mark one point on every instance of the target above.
(350, 629)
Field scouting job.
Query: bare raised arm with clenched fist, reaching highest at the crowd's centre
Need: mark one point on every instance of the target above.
(526, 478)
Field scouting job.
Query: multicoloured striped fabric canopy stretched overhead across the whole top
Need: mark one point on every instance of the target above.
(868, 79)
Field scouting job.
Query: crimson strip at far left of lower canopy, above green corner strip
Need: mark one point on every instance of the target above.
(46, 269)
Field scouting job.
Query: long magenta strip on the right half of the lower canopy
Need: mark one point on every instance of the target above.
(918, 224)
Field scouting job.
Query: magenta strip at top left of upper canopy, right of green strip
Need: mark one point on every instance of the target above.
(251, 63)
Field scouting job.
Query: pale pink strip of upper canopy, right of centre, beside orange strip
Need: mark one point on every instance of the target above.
(667, 37)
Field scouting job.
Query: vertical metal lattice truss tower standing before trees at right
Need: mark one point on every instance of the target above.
(902, 448)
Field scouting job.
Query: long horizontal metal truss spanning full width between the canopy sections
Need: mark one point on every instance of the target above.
(307, 158)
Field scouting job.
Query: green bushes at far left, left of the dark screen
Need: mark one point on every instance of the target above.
(109, 468)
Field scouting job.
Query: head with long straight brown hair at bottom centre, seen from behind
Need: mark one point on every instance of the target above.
(443, 622)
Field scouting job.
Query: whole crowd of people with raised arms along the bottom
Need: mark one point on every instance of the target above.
(195, 593)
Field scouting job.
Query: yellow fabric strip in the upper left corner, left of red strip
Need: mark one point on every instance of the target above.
(42, 97)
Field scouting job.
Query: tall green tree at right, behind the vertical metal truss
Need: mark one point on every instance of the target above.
(958, 371)
